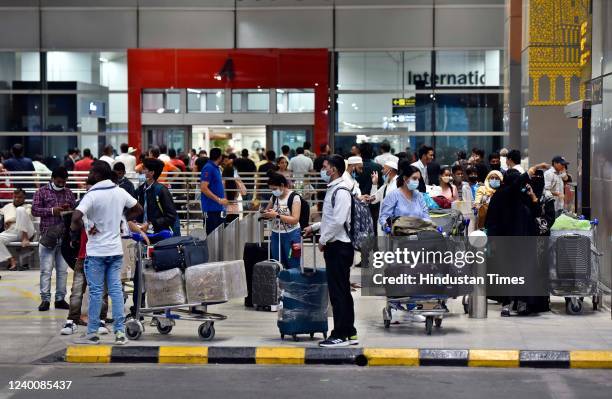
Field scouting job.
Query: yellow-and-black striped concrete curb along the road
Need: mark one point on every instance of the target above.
(349, 356)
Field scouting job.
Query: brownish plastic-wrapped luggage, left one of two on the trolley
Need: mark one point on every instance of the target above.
(164, 288)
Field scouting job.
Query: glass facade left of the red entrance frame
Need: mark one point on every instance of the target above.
(52, 101)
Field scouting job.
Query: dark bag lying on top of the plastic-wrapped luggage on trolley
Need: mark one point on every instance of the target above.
(180, 252)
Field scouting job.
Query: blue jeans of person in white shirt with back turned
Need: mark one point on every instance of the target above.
(97, 270)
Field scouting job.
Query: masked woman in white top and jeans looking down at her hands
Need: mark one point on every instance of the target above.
(285, 216)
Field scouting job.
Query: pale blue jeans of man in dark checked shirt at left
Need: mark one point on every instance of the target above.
(50, 258)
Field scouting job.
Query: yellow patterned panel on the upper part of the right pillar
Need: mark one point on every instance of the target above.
(554, 47)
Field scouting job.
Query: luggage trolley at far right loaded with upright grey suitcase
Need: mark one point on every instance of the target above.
(574, 267)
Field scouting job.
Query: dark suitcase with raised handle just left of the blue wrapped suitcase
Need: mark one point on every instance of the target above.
(265, 282)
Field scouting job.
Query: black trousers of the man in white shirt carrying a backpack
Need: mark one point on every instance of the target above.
(338, 261)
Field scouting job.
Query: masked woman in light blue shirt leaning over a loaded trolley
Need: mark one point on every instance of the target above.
(406, 200)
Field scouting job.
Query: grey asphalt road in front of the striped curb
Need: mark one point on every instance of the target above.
(297, 382)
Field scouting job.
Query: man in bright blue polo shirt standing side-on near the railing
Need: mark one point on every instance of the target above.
(213, 195)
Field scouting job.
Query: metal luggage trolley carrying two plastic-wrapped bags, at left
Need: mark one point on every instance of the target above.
(164, 317)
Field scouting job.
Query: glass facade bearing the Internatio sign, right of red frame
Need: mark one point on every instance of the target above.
(449, 99)
